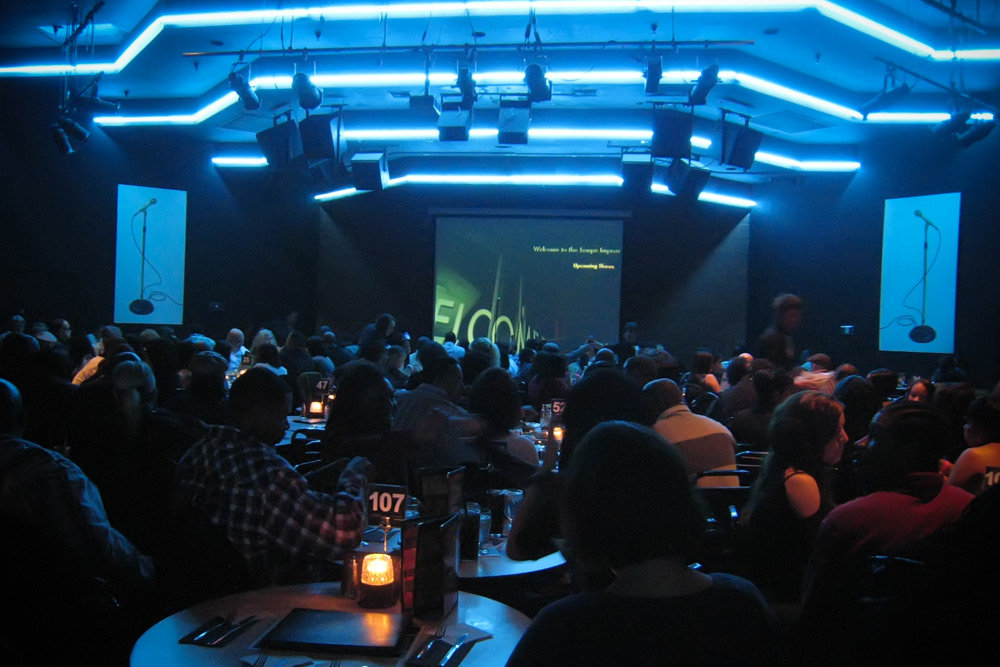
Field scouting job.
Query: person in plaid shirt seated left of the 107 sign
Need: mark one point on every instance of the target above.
(266, 509)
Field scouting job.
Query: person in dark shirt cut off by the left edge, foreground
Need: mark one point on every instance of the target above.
(66, 569)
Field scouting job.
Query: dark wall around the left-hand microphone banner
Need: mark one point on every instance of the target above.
(251, 238)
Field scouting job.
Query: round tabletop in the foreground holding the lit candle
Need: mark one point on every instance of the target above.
(159, 647)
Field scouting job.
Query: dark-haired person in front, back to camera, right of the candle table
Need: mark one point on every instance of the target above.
(657, 609)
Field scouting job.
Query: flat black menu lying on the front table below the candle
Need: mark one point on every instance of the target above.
(309, 630)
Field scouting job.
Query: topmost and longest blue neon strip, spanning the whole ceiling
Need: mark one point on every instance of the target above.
(374, 11)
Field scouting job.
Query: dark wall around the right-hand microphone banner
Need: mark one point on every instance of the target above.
(820, 237)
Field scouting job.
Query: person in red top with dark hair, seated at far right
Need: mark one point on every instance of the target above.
(908, 501)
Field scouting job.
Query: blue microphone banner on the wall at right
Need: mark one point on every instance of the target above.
(919, 274)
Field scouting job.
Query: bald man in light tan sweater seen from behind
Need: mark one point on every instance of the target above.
(704, 443)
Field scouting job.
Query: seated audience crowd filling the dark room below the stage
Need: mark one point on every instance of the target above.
(144, 472)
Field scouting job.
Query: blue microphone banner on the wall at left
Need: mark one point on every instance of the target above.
(149, 263)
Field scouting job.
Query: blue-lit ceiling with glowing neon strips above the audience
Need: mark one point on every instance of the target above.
(797, 71)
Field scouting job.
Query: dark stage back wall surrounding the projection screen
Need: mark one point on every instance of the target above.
(378, 255)
